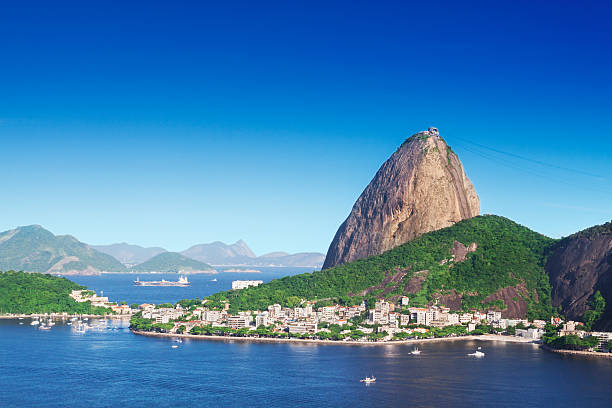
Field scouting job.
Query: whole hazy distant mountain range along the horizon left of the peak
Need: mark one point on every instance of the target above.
(35, 249)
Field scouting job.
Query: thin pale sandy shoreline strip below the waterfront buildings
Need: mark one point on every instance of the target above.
(507, 339)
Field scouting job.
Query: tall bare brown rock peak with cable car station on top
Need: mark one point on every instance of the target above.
(421, 188)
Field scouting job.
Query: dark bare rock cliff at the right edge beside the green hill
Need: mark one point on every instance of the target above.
(579, 266)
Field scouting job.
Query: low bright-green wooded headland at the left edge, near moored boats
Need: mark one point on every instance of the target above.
(27, 293)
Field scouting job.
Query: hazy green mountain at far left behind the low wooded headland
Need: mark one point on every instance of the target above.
(34, 249)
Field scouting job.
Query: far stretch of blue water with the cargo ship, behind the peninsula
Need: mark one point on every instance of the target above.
(120, 287)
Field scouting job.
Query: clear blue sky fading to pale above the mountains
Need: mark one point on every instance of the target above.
(176, 123)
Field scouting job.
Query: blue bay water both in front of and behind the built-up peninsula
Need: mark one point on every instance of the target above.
(112, 367)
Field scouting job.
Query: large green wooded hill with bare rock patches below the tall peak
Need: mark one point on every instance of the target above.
(483, 262)
